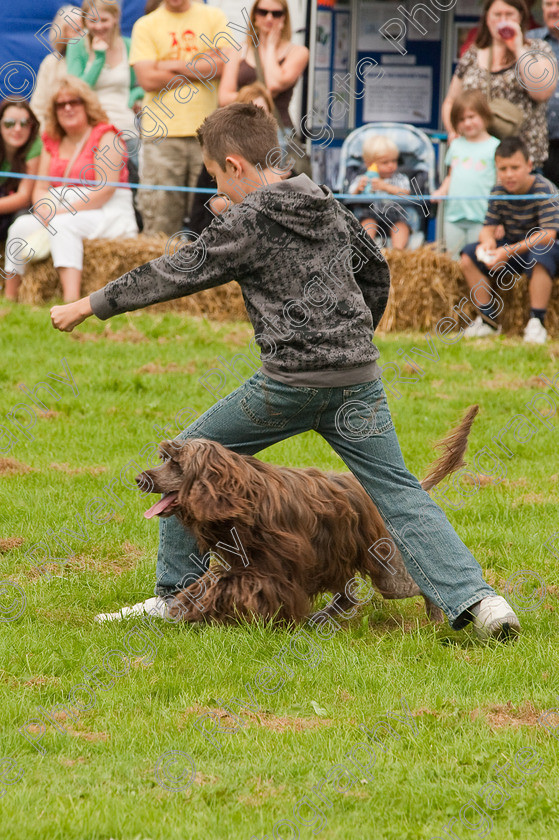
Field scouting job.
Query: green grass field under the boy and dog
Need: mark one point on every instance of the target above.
(109, 770)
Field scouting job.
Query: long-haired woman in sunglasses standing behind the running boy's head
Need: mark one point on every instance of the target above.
(282, 62)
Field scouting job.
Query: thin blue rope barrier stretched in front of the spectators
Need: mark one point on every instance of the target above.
(358, 198)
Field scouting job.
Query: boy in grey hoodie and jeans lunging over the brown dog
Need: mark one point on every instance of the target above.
(314, 285)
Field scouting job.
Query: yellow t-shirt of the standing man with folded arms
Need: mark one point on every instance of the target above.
(165, 36)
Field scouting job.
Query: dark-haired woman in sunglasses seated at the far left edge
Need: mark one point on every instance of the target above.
(19, 152)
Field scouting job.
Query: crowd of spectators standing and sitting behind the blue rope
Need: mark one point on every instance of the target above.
(108, 109)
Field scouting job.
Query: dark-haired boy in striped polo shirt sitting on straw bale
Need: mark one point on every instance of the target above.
(529, 245)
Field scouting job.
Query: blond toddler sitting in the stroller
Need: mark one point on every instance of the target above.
(380, 156)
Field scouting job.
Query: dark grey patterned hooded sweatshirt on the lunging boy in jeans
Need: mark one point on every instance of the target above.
(313, 282)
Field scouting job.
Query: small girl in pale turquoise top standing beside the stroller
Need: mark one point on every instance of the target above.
(471, 158)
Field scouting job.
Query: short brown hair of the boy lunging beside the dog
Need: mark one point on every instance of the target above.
(241, 129)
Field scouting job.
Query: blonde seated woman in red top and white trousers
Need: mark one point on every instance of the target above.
(77, 128)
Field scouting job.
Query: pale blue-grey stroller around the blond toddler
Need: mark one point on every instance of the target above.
(417, 160)
